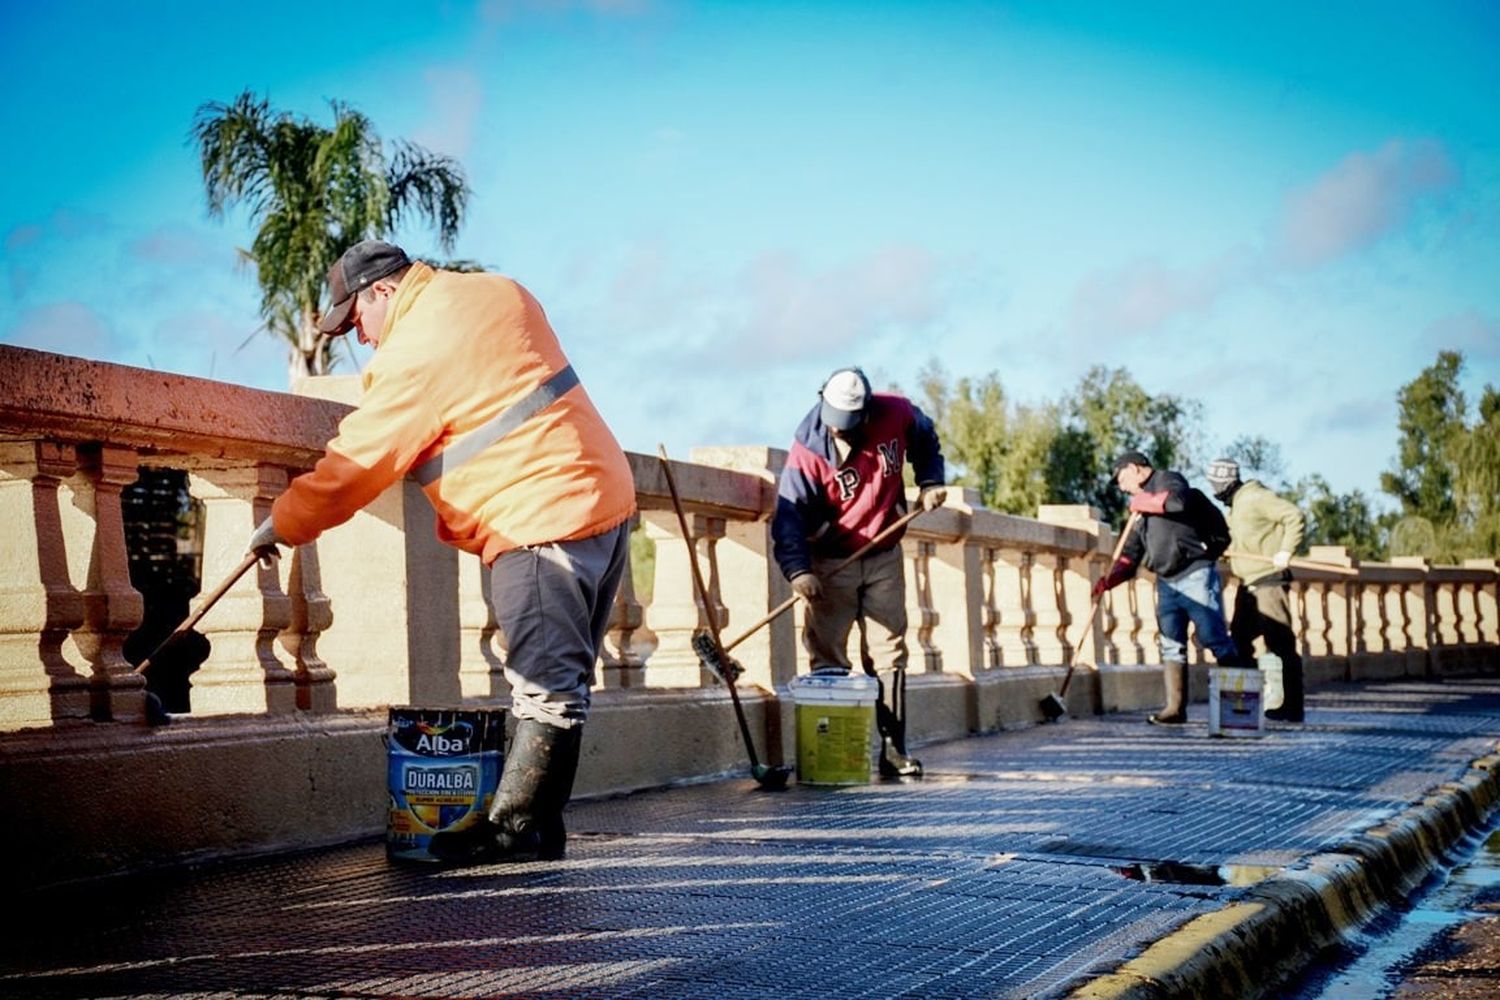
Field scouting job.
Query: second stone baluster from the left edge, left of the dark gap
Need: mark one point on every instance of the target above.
(101, 570)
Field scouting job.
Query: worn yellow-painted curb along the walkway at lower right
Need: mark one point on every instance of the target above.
(1282, 924)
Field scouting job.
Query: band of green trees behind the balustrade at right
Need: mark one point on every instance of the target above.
(1447, 476)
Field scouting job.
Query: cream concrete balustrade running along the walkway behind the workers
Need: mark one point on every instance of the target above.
(284, 738)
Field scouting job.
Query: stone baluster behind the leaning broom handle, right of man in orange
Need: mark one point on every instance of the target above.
(676, 611)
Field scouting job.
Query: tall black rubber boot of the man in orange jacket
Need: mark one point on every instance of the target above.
(538, 783)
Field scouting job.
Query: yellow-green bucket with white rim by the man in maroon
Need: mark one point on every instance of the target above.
(835, 726)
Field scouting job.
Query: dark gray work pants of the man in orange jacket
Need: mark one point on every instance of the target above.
(553, 603)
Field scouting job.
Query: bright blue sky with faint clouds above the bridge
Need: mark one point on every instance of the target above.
(1282, 211)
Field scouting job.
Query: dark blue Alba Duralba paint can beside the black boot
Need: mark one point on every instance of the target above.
(443, 768)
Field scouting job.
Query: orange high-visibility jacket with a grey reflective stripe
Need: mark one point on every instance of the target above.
(457, 353)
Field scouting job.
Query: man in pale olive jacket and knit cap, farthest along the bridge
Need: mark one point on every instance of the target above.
(1265, 525)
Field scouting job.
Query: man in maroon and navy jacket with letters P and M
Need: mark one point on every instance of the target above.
(841, 488)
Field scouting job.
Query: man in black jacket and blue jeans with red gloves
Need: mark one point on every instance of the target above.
(1180, 537)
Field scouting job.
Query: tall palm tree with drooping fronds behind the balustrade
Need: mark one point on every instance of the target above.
(314, 191)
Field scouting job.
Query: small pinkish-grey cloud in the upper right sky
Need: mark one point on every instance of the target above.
(1366, 197)
